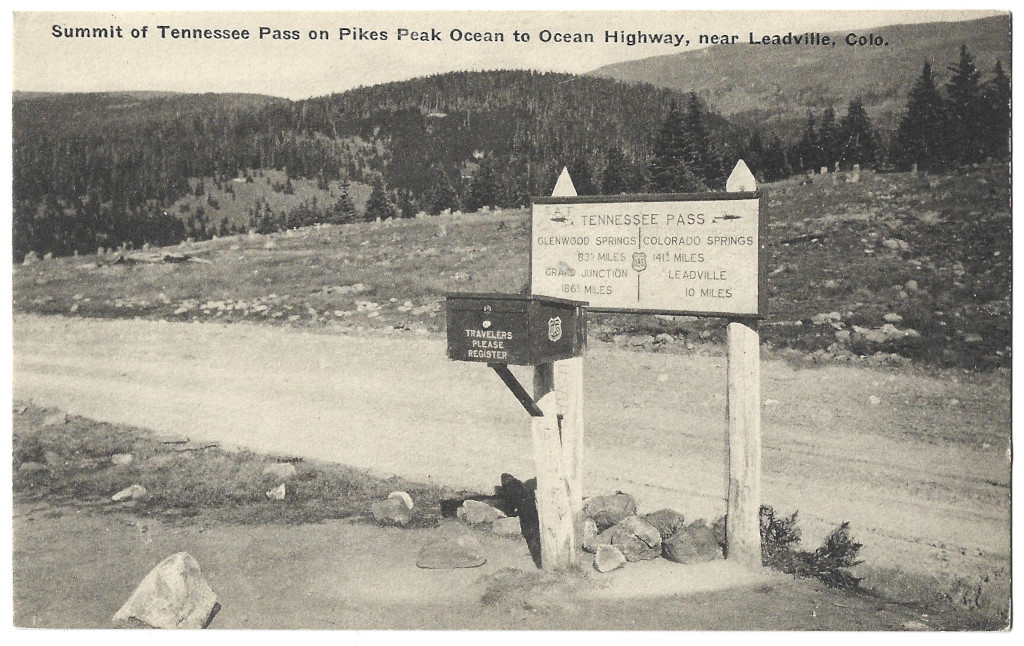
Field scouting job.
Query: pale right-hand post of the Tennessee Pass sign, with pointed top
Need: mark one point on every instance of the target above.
(744, 441)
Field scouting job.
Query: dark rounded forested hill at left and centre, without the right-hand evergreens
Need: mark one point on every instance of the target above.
(105, 169)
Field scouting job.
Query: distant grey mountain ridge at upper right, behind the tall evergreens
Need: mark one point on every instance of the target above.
(774, 87)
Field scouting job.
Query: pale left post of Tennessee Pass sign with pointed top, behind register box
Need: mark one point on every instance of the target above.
(559, 450)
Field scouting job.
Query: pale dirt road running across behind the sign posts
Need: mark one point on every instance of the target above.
(918, 463)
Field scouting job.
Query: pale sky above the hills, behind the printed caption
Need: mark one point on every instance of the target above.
(303, 68)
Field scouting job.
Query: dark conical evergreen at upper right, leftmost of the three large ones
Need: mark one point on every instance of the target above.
(921, 136)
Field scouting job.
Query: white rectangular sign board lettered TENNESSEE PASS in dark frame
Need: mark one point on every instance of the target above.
(677, 254)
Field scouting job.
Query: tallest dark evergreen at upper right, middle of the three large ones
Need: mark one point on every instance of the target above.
(964, 107)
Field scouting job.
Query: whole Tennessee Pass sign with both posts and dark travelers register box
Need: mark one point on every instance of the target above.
(672, 254)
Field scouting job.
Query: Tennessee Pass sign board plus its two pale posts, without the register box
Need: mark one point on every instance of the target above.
(669, 254)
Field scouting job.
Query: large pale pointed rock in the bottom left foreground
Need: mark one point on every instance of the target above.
(174, 595)
